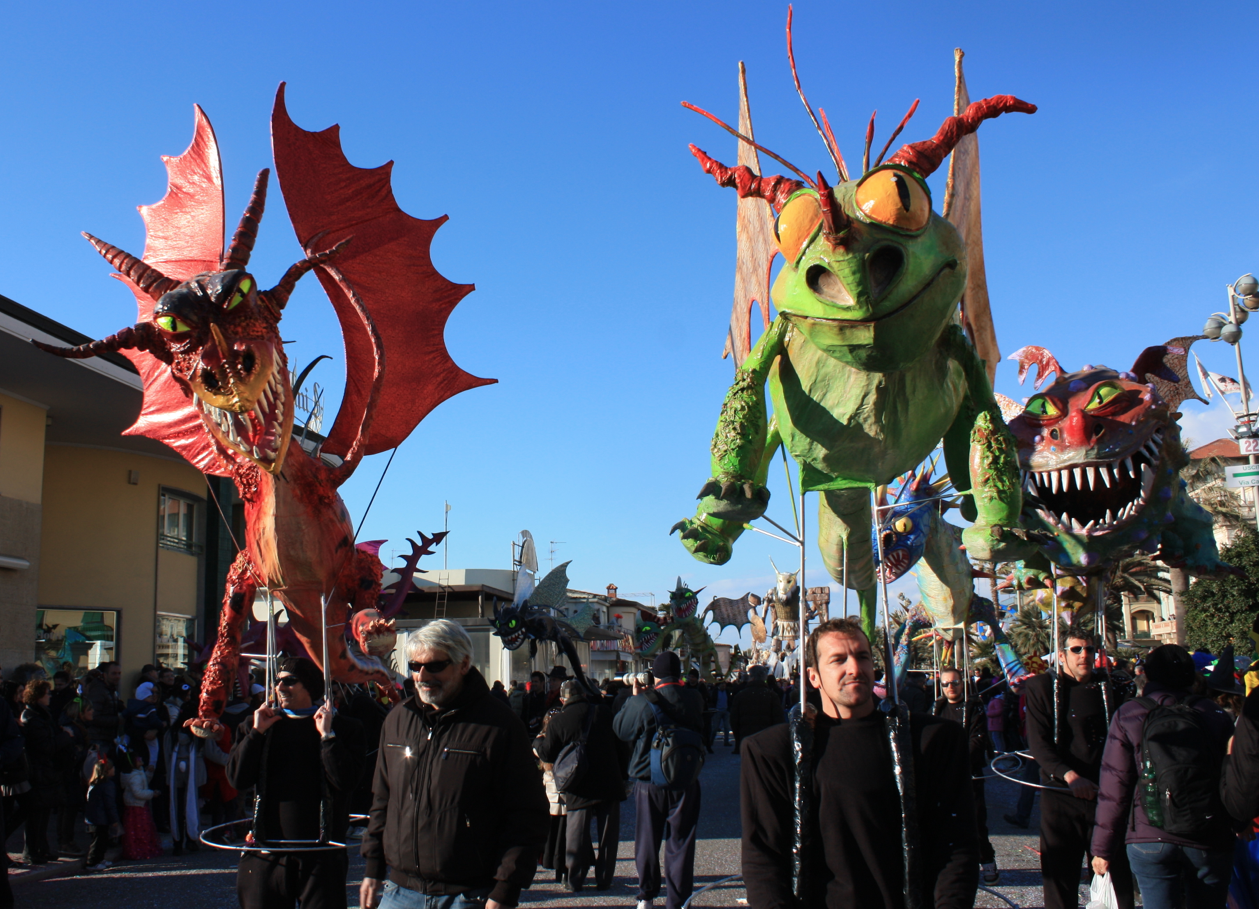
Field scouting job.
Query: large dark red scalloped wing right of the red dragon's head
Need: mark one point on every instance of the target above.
(388, 264)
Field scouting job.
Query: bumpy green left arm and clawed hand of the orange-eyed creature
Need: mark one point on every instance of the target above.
(743, 445)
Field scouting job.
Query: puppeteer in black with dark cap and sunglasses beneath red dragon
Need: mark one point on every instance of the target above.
(305, 764)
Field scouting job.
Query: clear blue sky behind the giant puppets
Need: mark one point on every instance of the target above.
(553, 138)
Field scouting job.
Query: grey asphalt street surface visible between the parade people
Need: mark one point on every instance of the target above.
(207, 879)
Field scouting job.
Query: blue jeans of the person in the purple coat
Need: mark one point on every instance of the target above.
(1173, 877)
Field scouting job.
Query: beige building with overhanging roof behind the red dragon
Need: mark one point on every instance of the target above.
(103, 536)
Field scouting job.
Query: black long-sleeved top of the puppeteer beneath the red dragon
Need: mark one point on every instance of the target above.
(291, 767)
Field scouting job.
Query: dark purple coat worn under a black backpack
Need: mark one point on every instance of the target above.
(1119, 821)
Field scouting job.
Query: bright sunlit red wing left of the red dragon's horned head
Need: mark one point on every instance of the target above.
(184, 239)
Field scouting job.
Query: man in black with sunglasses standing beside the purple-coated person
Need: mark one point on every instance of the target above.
(1071, 759)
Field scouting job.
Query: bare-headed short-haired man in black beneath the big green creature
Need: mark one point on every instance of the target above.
(857, 855)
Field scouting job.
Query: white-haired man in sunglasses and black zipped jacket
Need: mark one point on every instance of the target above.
(459, 809)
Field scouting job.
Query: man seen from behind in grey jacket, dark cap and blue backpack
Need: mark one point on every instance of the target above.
(636, 723)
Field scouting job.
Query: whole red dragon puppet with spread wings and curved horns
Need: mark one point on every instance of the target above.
(216, 378)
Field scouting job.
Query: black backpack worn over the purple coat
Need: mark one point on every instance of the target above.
(1180, 770)
